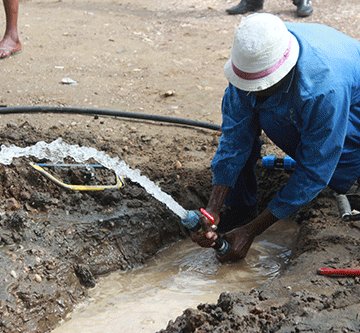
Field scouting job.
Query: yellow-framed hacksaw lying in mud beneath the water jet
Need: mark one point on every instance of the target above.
(119, 182)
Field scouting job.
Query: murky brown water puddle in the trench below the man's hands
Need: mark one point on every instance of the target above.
(179, 277)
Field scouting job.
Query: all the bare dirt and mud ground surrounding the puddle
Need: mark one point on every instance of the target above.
(161, 58)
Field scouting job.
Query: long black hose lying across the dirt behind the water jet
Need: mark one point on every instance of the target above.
(124, 114)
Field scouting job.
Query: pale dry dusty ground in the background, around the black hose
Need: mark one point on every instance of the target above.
(128, 55)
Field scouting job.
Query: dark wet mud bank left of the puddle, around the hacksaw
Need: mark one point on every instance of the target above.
(54, 243)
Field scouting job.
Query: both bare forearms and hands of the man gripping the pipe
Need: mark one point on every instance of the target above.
(239, 239)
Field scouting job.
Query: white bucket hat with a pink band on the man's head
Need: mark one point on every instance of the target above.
(263, 52)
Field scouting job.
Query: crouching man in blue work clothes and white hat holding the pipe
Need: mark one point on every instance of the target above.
(300, 84)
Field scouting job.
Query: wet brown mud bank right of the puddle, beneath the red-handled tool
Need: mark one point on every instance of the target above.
(299, 300)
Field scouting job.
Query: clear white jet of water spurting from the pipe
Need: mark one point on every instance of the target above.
(58, 150)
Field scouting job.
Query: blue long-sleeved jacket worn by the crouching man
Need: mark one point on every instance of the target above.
(321, 100)
